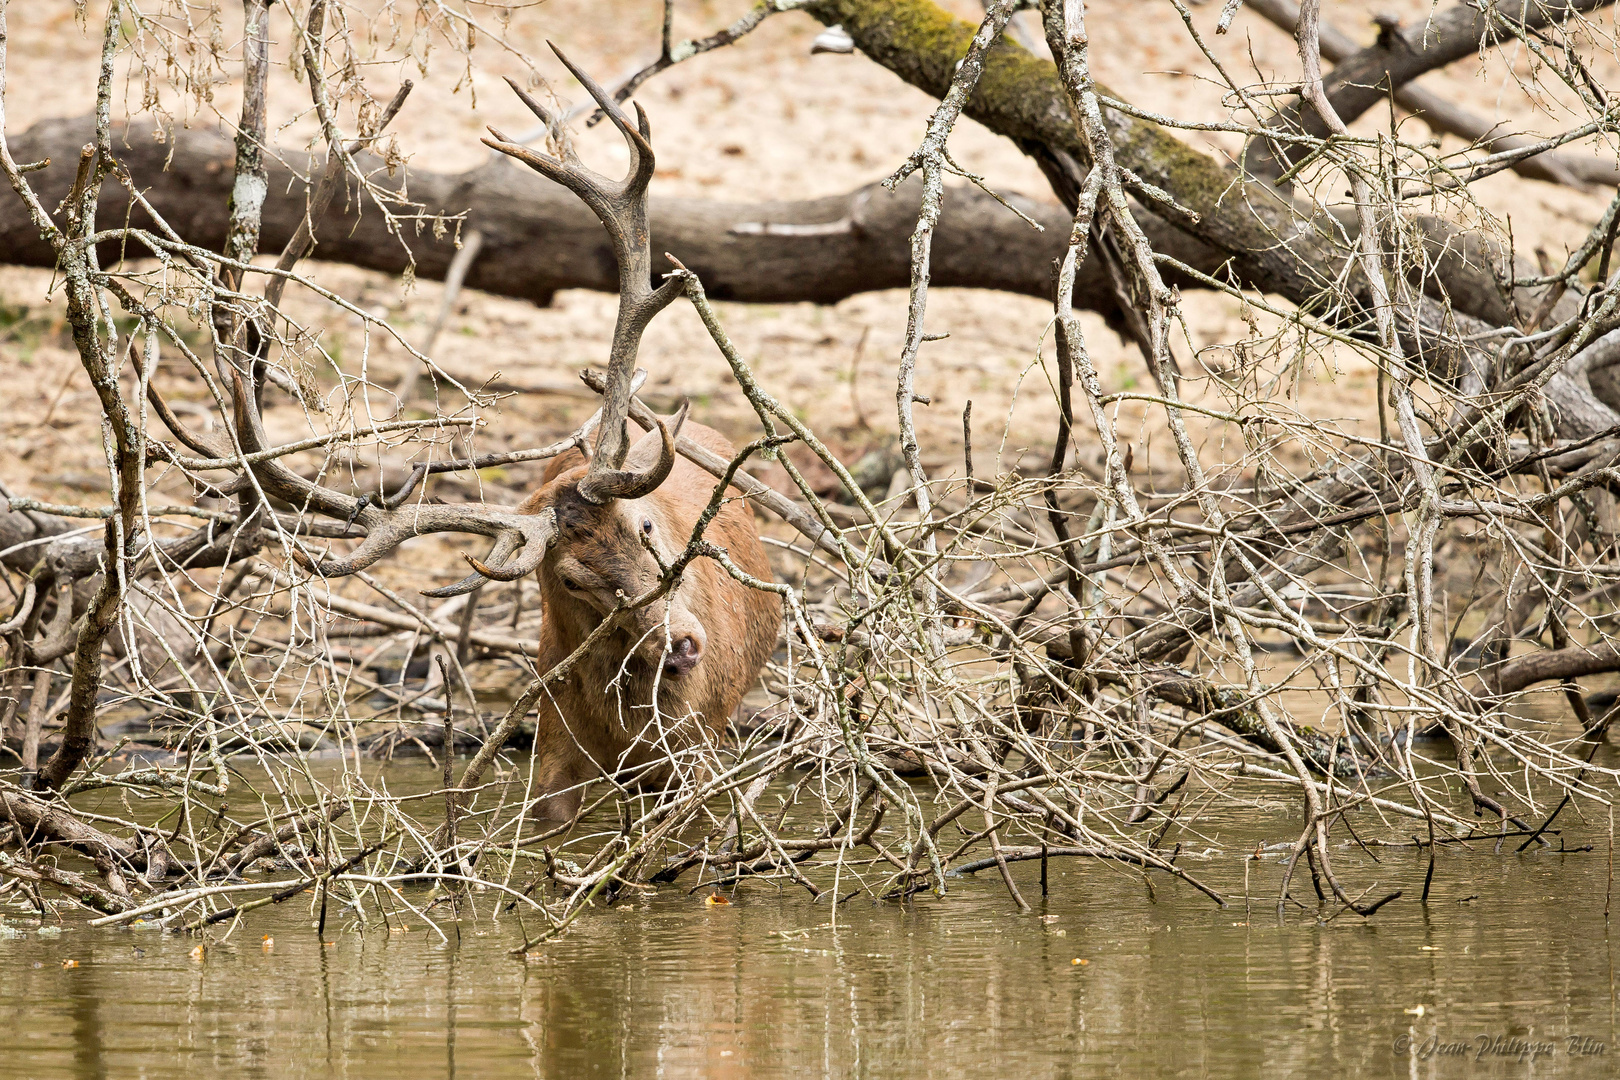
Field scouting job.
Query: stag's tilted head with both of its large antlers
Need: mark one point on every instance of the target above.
(599, 534)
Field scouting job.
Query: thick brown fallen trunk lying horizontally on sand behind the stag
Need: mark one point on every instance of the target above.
(539, 239)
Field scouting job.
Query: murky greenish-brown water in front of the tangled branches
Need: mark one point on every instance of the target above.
(961, 987)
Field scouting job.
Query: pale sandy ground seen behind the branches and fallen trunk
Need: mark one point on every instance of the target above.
(759, 121)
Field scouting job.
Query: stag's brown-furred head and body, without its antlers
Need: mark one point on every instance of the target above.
(597, 720)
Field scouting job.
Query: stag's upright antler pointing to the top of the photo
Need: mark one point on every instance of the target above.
(621, 205)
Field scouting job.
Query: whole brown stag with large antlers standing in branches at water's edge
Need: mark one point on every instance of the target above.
(613, 535)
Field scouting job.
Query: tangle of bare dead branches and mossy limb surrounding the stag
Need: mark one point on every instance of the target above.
(973, 670)
